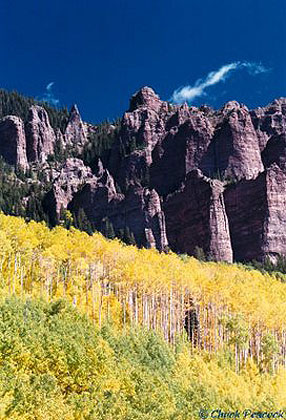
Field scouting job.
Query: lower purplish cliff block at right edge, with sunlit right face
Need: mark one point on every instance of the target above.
(257, 218)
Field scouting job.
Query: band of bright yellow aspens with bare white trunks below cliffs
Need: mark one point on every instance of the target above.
(111, 282)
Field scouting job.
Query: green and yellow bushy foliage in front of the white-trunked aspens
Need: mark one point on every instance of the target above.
(55, 364)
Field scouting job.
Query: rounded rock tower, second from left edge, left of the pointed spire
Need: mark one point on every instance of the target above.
(40, 136)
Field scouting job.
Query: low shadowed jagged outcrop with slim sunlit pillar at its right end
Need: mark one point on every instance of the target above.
(139, 210)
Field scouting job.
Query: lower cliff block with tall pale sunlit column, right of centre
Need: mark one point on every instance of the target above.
(196, 218)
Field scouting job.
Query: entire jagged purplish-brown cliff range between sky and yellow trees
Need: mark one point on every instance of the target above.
(170, 175)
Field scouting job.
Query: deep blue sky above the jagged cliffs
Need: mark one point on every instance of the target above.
(98, 53)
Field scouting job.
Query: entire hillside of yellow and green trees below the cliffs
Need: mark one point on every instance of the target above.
(94, 329)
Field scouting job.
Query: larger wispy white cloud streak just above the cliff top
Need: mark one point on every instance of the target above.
(189, 93)
